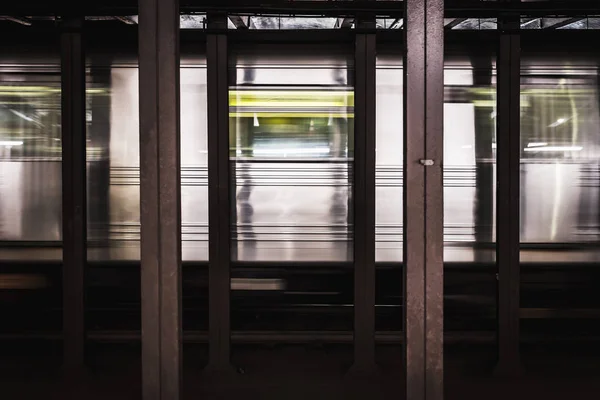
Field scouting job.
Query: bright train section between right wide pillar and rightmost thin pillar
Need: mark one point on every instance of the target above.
(469, 162)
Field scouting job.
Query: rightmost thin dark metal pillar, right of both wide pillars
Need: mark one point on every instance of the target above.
(508, 195)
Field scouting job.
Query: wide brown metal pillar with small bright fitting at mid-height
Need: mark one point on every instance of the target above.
(423, 198)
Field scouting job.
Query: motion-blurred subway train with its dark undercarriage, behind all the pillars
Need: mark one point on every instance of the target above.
(291, 158)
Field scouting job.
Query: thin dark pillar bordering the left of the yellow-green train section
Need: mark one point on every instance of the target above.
(219, 236)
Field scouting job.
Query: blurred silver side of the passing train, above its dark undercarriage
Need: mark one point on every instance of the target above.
(293, 188)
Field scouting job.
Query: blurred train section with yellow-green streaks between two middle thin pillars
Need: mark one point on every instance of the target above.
(291, 149)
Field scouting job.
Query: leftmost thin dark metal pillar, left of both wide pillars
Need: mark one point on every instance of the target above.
(73, 192)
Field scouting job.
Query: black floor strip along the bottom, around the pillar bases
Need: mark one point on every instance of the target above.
(303, 372)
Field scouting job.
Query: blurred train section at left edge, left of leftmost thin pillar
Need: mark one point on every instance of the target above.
(30, 157)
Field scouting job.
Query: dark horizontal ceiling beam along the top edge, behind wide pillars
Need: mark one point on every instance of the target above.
(453, 8)
